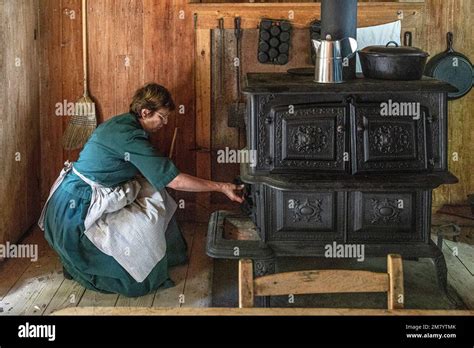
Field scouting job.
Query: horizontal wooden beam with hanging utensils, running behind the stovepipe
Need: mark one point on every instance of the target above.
(301, 14)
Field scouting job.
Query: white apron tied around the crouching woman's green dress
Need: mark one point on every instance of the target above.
(127, 222)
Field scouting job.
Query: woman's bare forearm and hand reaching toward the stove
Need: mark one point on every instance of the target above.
(185, 182)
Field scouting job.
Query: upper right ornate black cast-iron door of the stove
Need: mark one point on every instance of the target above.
(388, 143)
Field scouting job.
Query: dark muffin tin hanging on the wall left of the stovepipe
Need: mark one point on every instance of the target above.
(274, 43)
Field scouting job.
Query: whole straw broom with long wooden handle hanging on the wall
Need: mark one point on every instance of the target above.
(84, 121)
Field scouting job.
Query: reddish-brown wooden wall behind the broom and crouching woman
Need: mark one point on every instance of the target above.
(131, 42)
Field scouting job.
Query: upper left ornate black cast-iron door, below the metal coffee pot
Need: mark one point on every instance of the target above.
(309, 137)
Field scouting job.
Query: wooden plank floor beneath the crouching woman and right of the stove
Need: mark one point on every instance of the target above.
(39, 288)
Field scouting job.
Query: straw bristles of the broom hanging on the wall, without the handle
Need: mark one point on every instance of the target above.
(81, 126)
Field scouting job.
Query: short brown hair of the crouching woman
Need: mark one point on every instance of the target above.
(153, 97)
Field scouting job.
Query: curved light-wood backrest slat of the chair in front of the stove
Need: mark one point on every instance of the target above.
(316, 281)
